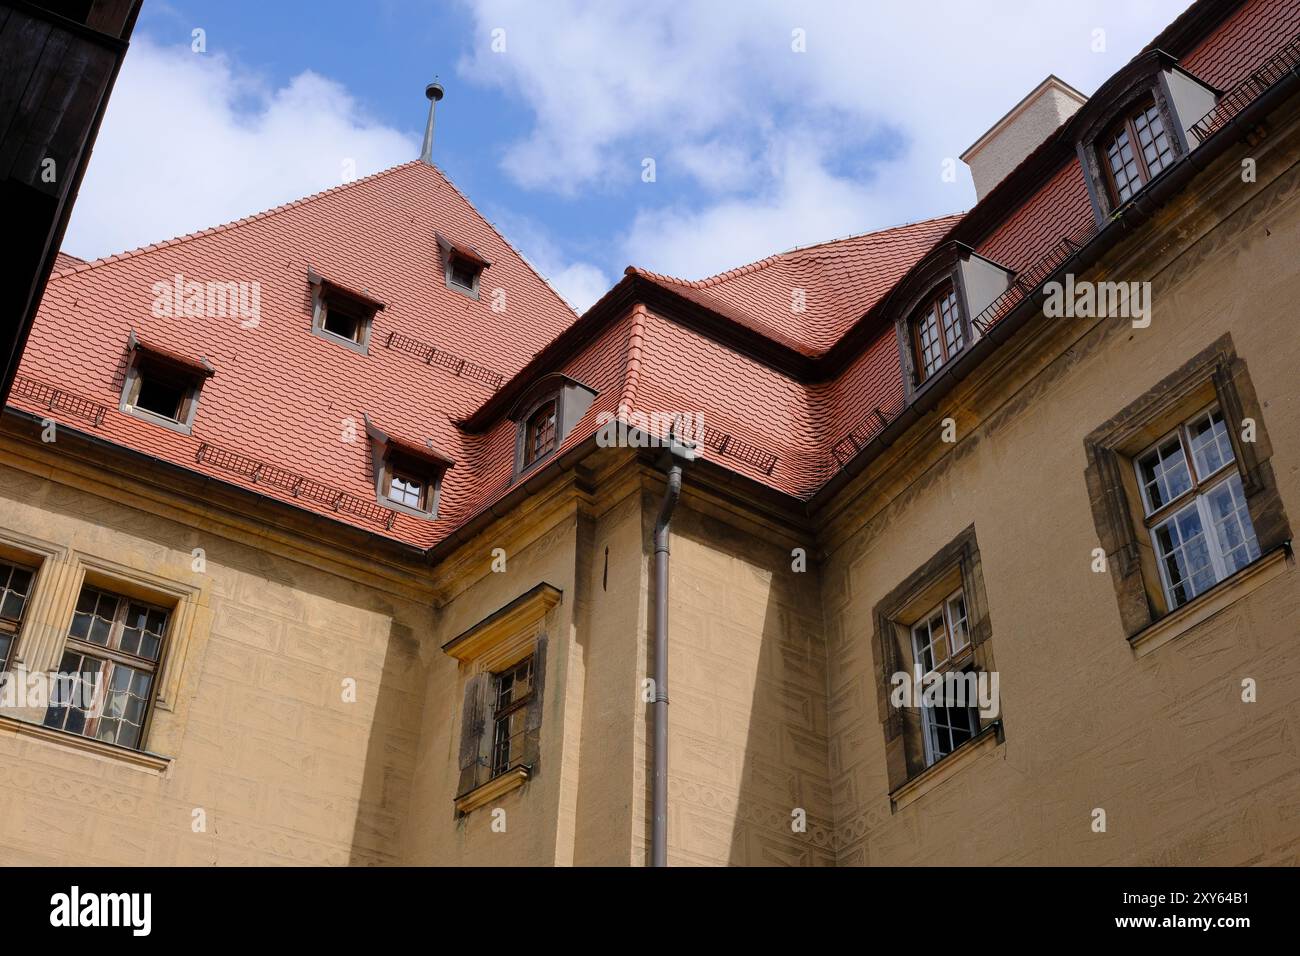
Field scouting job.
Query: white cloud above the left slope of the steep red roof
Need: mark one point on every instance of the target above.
(193, 141)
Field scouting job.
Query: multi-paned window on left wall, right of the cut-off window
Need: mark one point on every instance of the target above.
(109, 669)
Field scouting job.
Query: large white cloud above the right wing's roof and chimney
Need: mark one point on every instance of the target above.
(902, 86)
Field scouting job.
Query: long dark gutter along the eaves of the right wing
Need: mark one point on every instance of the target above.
(1139, 210)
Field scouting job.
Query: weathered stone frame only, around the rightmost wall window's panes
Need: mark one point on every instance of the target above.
(1215, 375)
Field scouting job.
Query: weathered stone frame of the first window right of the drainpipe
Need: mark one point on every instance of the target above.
(955, 565)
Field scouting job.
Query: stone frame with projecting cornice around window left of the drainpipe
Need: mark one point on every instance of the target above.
(495, 646)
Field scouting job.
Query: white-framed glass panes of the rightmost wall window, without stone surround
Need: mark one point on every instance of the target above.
(1195, 508)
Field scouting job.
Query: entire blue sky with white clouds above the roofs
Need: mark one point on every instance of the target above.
(770, 123)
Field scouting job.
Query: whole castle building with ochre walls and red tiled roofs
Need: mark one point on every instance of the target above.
(352, 544)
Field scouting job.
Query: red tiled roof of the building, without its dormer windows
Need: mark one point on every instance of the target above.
(285, 412)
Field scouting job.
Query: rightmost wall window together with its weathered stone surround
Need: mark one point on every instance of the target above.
(1184, 495)
